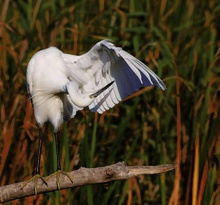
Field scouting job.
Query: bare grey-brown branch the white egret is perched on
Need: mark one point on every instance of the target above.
(80, 177)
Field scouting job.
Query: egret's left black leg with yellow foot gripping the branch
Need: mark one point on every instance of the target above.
(37, 175)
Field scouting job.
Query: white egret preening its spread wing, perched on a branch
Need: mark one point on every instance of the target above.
(60, 84)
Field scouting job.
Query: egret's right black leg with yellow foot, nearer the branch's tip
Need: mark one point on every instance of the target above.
(59, 171)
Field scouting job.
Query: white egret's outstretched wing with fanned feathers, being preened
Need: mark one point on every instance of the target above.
(103, 64)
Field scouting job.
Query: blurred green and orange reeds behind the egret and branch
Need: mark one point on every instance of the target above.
(178, 40)
